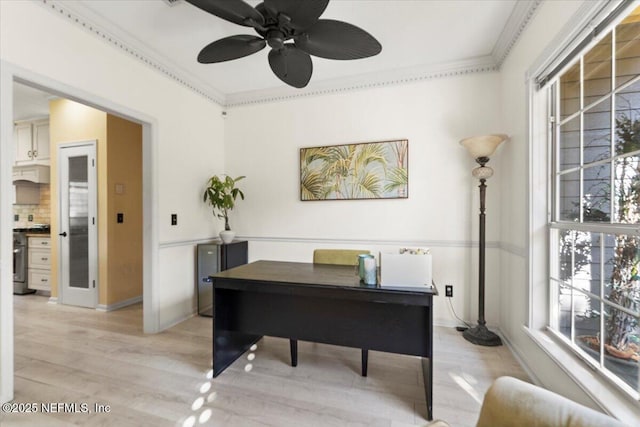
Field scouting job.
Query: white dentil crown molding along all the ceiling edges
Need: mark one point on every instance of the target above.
(81, 16)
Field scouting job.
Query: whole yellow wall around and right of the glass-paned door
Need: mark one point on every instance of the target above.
(119, 245)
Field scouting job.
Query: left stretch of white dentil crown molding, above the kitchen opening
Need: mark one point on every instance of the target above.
(81, 16)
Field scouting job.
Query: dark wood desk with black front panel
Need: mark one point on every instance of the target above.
(319, 303)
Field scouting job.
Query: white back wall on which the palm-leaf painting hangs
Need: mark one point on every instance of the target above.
(263, 142)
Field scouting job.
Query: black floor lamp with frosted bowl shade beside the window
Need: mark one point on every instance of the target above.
(480, 148)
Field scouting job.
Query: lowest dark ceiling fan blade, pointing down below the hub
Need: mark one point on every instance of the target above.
(291, 65)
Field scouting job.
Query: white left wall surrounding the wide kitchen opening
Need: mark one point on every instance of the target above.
(184, 147)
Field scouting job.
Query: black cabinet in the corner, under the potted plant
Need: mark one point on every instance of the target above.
(213, 258)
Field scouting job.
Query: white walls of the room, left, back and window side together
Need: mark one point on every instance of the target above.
(263, 141)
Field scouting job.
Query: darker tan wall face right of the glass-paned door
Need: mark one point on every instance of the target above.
(124, 195)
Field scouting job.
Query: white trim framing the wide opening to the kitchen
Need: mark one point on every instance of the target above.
(9, 73)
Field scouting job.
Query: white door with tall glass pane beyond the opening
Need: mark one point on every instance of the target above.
(78, 247)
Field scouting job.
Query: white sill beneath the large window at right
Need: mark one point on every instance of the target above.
(611, 400)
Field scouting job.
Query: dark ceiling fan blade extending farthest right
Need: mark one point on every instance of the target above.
(337, 40)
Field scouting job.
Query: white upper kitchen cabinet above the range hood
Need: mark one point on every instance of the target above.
(32, 142)
